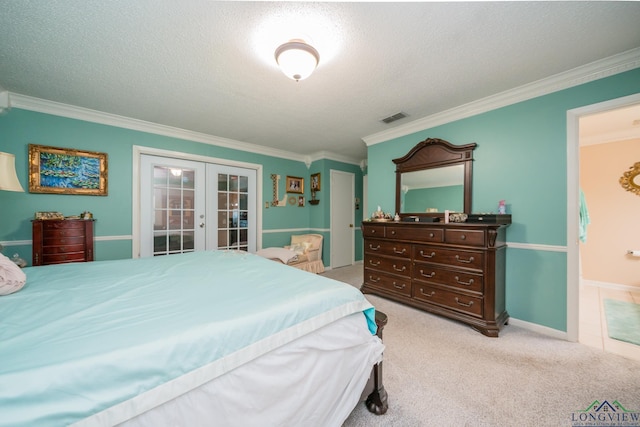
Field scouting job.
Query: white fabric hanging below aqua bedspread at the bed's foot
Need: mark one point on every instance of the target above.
(315, 380)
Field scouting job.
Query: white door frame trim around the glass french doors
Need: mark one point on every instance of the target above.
(138, 150)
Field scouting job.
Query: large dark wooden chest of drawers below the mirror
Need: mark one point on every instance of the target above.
(456, 270)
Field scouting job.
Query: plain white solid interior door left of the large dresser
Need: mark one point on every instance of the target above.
(342, 218)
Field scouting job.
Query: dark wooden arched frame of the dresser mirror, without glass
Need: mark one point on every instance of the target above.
(435, 153)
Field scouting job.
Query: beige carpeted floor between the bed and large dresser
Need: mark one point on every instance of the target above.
(439, 372)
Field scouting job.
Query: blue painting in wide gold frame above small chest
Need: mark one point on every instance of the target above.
(67, 171)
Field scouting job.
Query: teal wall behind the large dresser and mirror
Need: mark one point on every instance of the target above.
(522, 158)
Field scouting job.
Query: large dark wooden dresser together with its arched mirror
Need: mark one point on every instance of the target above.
(452, 269)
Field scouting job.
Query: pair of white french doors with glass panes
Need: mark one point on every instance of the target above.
(190, 206)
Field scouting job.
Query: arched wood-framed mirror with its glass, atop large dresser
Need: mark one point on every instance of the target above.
(432, 177)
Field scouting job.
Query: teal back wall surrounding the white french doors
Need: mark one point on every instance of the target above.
(113, 227)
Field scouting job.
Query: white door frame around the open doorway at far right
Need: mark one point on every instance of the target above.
(573, 203)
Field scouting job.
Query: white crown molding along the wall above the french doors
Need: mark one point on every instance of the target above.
(65, 110)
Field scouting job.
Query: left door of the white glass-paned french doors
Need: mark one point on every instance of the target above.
(172, 199)
